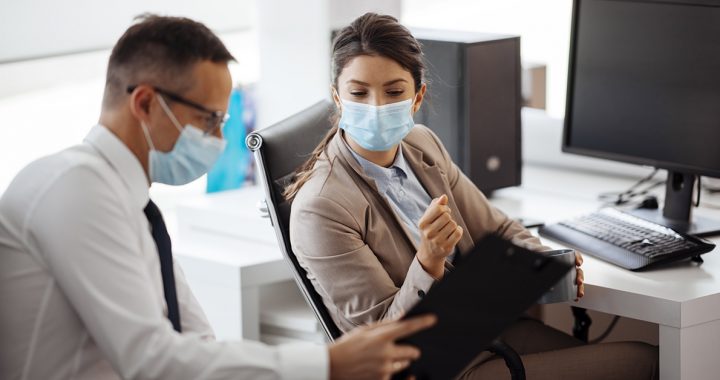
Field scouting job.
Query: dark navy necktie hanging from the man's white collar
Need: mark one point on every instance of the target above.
(162, 240)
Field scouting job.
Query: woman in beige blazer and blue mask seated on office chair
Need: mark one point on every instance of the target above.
(380, 208)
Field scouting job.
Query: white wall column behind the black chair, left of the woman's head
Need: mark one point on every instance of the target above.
(295, 50)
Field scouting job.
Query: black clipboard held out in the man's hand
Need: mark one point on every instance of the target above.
(489, 289)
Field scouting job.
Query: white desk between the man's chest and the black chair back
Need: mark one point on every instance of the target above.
(229, 253)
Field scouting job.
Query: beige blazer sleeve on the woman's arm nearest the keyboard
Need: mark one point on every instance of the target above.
(480, 216)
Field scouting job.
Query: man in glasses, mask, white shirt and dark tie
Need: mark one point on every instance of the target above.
(88, 286)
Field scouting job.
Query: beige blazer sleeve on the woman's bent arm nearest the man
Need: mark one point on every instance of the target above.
(328, 243)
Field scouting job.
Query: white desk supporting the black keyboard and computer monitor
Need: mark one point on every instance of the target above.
(684, 300)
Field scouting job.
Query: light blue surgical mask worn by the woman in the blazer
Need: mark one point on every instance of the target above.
(377, 128)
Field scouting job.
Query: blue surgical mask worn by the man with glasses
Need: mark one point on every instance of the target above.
(192, 156)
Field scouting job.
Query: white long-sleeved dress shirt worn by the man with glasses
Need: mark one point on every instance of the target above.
(81, 294)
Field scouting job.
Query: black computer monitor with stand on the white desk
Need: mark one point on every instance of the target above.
(644, 88)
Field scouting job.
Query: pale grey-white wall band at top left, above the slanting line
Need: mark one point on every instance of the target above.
(38, 28)
